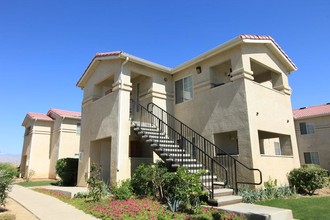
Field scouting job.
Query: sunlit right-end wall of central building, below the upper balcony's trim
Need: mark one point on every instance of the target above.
(270, 110)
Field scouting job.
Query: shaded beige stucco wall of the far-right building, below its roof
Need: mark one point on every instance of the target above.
(317, 142)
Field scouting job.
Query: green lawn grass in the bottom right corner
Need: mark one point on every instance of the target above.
(303, 207)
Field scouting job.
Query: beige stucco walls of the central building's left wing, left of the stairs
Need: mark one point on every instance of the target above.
(107, 117)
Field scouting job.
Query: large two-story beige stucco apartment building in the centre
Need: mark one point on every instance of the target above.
(236, 95)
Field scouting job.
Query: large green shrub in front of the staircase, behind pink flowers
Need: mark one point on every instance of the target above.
(178, 188)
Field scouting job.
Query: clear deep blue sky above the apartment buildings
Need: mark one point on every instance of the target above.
(46, 45)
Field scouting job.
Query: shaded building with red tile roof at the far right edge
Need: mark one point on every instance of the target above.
(313, 132)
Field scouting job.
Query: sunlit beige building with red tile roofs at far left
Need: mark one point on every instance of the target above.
(49, 137)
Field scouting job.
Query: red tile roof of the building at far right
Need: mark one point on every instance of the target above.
(312, 111)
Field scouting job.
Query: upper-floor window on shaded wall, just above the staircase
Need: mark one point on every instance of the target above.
(183, 90)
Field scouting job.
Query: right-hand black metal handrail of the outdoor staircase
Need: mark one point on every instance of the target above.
(207, 146)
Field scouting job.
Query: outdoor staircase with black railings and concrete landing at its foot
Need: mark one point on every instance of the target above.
(178, 145)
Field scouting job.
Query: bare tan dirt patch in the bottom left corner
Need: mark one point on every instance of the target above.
(14, 209)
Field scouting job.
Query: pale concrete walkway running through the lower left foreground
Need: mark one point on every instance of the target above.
(46, 207)
